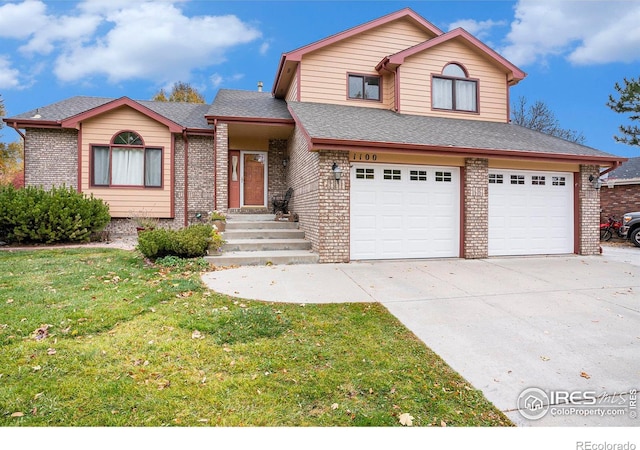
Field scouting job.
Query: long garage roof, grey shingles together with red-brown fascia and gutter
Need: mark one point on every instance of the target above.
(354, 128)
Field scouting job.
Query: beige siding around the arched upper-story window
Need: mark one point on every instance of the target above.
(415, 82)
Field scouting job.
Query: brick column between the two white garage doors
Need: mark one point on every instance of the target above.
(476, 208)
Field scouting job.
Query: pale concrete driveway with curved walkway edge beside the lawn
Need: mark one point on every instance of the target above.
(546, 326)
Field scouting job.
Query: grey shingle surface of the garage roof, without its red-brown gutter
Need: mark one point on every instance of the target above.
(351, 123)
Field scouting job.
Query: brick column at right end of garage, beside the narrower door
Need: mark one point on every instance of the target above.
(588, 211)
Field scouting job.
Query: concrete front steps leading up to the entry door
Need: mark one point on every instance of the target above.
(259, 239)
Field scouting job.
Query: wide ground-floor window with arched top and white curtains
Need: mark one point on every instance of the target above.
(126, 162)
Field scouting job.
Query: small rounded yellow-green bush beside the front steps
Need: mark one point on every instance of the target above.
(189, 242)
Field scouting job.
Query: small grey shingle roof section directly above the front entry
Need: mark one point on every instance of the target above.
(248, 104)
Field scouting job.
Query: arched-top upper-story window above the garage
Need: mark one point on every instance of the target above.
(453, 90)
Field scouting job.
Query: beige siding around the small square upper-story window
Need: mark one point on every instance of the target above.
(323, 73)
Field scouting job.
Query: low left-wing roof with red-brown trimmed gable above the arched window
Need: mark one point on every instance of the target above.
(68, 112)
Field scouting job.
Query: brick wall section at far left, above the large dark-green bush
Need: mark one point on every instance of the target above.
(51, 158)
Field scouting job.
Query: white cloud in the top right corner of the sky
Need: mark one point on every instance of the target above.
(584, 32)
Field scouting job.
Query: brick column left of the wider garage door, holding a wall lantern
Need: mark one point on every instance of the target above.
(333, 206)
